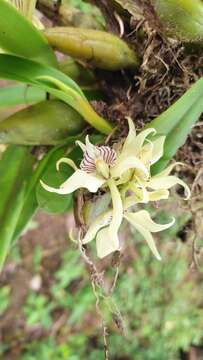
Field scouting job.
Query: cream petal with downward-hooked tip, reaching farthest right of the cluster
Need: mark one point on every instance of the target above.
(167, 182)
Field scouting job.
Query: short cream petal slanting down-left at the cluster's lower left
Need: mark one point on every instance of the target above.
(100, 222)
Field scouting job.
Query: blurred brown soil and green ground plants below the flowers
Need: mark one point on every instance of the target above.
(47, 305)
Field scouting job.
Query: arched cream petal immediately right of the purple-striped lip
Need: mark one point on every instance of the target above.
(127, 162)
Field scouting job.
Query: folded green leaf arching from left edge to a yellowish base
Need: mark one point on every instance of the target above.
(54, 82)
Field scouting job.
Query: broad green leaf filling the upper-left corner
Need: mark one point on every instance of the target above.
(20, 37)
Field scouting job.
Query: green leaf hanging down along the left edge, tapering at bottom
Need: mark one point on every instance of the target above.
(15, 170)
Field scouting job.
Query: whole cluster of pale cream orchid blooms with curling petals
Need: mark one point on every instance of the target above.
(126, 175)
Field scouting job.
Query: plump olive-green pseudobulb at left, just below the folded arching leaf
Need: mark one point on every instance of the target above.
(46, 123)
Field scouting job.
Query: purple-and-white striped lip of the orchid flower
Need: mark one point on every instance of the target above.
(103, 152)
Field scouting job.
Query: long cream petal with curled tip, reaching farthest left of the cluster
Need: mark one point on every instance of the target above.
(80, 179)
